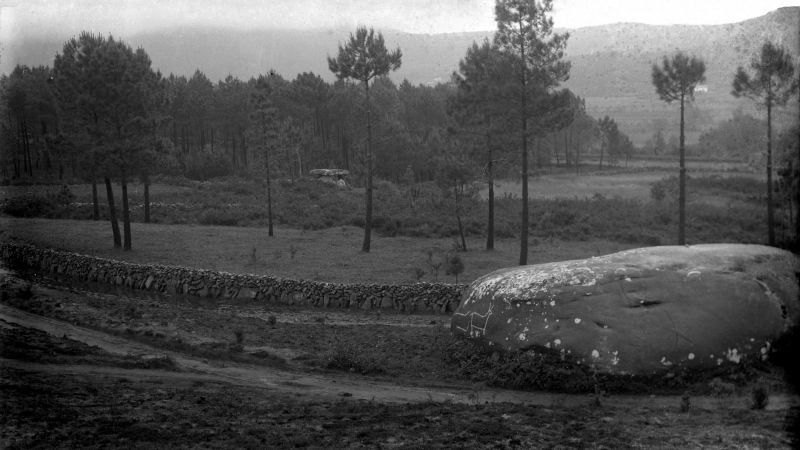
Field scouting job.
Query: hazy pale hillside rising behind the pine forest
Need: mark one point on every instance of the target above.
(610, 64)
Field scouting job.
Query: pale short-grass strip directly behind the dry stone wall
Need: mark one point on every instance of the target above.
(327, 255)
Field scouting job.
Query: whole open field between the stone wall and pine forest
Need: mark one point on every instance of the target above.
(221, 224)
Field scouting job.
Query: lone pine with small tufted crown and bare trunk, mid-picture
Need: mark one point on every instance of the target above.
(364, 58)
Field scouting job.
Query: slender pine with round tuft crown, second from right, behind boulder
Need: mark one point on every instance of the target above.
(675, 80)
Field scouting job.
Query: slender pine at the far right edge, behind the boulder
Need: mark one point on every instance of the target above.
(772, 84)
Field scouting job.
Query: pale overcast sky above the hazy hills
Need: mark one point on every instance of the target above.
(124, 17)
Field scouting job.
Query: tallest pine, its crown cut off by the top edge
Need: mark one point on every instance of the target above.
(525, 30)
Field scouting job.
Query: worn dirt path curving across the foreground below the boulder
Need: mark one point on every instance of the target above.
(316, 385)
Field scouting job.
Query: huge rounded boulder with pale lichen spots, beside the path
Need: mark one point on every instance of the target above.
(640, 311)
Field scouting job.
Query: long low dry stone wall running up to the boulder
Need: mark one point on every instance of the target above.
(411, 298)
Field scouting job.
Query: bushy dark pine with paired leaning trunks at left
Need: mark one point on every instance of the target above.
(108, 89)
